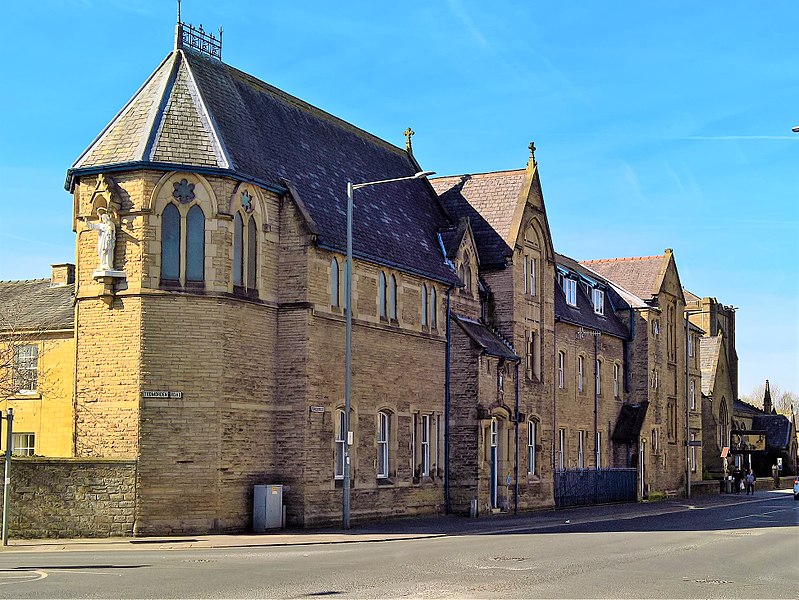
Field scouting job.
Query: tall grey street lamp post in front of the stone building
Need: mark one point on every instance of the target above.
(351, 187)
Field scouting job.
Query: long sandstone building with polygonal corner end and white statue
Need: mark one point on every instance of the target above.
(209, 348)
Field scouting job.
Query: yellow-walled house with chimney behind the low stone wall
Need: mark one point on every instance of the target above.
(37, 362)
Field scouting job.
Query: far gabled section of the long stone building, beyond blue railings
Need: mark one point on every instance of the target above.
(664, 373)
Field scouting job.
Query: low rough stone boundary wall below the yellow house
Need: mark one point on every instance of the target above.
(71, 497)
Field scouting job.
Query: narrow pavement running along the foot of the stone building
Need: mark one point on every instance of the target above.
(400, 528)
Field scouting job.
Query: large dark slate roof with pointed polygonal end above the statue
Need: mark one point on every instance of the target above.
(197, 113)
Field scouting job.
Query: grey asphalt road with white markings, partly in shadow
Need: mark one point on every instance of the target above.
(745, 549)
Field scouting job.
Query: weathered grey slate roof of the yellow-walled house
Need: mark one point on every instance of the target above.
(33, 304)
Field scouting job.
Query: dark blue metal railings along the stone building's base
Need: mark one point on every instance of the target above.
(584, 487)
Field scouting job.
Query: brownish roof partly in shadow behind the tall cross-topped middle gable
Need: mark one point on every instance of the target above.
(489, 200)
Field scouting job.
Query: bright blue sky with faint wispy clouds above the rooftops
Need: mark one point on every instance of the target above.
(658, 125)
